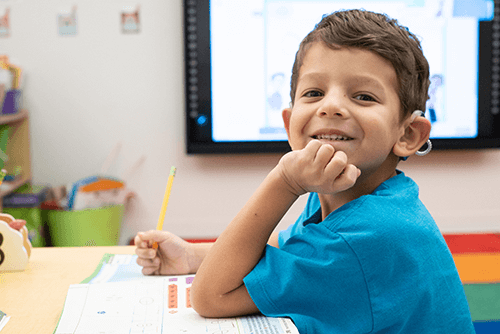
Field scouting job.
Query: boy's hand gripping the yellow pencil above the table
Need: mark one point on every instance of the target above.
(172, 257)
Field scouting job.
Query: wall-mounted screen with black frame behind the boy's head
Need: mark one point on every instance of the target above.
(239, 56)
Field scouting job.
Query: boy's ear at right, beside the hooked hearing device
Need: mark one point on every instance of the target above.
(415, 136)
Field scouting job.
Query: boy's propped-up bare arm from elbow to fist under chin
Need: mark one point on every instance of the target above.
(218, 289)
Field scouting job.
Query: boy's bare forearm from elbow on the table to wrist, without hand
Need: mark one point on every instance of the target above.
(218, 288)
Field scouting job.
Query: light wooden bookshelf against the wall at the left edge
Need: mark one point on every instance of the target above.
(18, 151)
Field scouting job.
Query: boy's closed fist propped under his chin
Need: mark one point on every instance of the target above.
(317, 168)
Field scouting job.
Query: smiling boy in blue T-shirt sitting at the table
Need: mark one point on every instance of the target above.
(365, 256)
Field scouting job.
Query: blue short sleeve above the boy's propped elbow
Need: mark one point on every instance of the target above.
(316, 280)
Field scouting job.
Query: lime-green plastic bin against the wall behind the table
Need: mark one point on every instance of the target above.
(89, 227)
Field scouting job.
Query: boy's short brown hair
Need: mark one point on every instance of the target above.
(380, 34)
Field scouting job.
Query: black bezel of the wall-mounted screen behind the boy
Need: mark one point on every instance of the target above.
(198, 90)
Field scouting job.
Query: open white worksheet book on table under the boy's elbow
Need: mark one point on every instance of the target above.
(119, 300)
